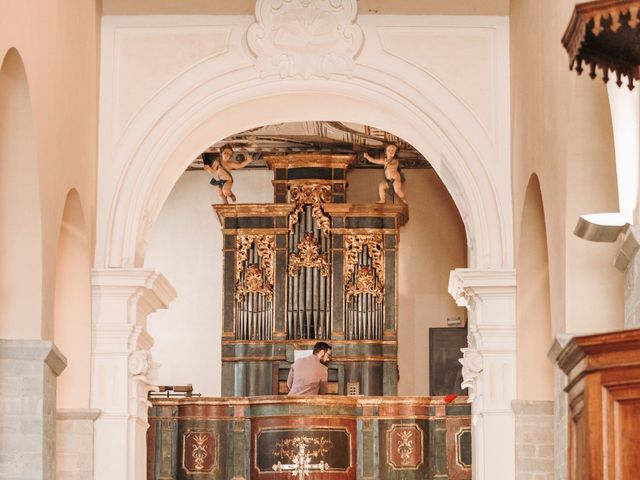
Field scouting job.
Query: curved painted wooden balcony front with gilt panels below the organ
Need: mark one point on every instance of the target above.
(278, 438)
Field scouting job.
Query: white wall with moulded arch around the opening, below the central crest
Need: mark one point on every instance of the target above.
(203, 86)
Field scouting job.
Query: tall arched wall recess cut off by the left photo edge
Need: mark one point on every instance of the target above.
(20, 214)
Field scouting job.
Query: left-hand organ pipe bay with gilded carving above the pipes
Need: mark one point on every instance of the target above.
(254, 287)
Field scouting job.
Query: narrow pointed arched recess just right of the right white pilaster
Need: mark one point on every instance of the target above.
(533, 306)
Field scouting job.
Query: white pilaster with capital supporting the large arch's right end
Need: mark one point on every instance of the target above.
(489, 366)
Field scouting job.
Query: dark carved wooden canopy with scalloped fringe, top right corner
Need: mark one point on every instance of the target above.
(605, 34)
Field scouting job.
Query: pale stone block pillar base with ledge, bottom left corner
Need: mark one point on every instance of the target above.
(28, 371)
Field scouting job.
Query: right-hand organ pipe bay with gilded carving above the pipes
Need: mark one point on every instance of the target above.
(364, 276)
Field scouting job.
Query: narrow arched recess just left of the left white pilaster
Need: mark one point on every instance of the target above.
(72, 305)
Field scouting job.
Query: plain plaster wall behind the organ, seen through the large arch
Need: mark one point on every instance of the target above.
(186, 246)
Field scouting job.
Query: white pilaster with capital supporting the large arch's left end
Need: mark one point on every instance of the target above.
(122, 300)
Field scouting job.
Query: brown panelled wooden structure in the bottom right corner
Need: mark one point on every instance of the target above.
(604, 398)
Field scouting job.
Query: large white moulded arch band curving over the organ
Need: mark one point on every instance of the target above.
(163, 139)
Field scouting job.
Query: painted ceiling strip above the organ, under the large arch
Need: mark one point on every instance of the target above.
(315, 137)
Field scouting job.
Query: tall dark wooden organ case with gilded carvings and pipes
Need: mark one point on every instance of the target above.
(305, 268)
